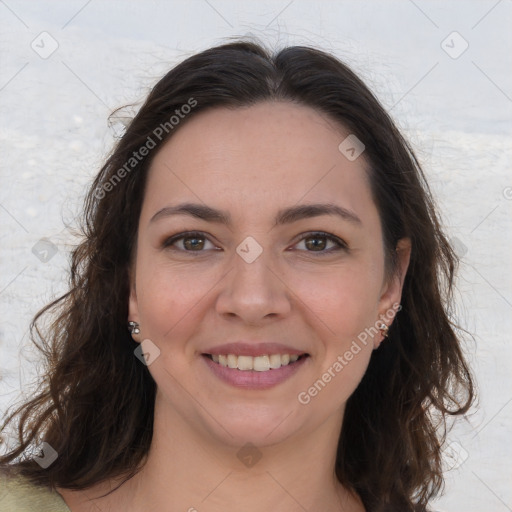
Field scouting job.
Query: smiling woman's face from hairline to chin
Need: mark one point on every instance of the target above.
(255, 284)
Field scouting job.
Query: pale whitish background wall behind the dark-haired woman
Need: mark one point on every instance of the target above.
(457, 112)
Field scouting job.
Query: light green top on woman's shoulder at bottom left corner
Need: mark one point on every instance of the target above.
(17, 494)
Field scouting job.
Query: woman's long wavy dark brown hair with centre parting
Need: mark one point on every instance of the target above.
(96, 401)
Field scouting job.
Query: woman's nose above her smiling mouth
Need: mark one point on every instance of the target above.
(253, 292)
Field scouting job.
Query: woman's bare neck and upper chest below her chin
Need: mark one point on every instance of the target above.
(187, 471)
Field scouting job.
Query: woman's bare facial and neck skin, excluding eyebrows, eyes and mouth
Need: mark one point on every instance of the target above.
(251, 162)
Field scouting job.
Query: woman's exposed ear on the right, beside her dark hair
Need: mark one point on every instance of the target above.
(391, 293)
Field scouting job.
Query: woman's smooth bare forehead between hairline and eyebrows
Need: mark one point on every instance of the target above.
(254, 158)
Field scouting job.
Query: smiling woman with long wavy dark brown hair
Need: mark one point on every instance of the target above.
(258, 314)
